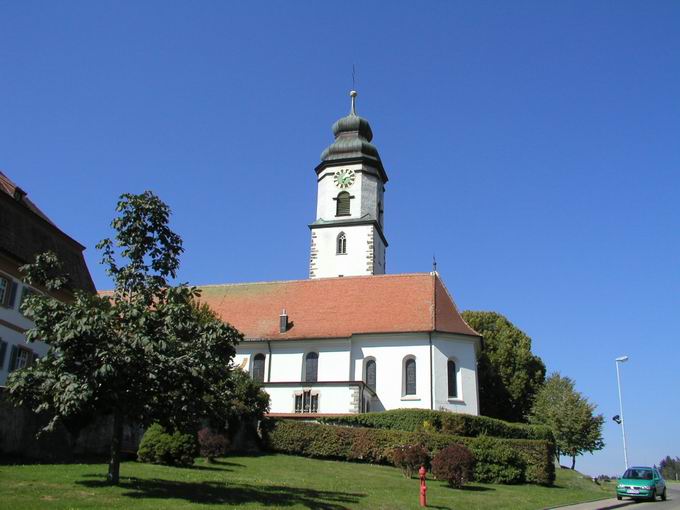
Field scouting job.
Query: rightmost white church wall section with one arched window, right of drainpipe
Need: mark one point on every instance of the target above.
(461, 350)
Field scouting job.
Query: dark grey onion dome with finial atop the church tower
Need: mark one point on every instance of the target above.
(353, 137)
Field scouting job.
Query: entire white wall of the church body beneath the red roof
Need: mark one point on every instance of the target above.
(342, 360)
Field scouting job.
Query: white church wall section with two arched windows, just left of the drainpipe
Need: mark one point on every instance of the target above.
(389, 352)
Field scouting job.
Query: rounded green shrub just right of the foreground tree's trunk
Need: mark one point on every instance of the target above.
(160, 447)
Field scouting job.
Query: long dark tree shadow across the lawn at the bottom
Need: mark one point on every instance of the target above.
(217, 493)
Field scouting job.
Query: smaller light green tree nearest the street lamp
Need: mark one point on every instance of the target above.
(570, 416)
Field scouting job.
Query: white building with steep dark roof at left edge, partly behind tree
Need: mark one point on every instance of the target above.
(25, 231)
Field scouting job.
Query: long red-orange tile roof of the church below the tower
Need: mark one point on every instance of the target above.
(338, 307)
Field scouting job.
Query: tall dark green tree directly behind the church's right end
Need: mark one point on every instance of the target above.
(509, 373)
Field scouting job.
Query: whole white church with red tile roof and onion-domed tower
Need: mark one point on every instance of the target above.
(351, 338)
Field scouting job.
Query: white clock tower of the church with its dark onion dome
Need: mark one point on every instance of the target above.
(347, 236)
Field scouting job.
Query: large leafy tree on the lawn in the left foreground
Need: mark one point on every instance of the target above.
(145, 353)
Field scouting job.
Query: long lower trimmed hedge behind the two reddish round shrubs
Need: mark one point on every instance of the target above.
(498, 460)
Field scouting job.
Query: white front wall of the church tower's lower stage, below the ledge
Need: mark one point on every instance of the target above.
(330, 264)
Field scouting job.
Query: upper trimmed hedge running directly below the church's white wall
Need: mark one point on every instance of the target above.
(465, 425)
